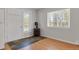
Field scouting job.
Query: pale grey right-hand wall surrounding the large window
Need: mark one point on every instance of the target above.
(70, 35)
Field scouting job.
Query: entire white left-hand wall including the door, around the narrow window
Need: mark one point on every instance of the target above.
(11, 24)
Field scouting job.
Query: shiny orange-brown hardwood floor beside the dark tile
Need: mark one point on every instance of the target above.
(50, 44)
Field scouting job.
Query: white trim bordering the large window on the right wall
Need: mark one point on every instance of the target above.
(57, 21)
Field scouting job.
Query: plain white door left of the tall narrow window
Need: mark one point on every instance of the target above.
(13, 19)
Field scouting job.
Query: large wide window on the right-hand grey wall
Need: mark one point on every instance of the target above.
(59, 18)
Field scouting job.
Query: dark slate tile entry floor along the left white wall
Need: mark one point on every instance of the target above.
(23, 42)
